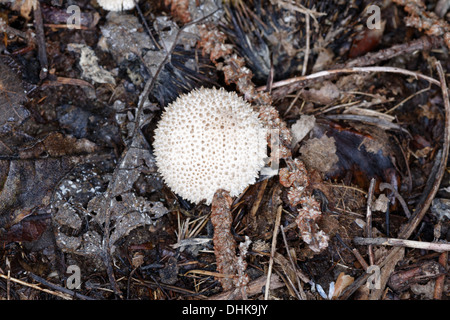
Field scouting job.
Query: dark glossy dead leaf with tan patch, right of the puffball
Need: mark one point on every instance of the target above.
(361, 154)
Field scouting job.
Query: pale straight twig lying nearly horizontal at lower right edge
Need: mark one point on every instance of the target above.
(435, 246)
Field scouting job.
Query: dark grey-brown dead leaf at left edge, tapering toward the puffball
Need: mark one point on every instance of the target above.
(28, 180)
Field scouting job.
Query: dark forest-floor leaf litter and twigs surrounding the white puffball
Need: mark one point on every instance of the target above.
(87, 192)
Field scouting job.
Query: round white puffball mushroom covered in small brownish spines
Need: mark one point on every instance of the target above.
(206, 140)
